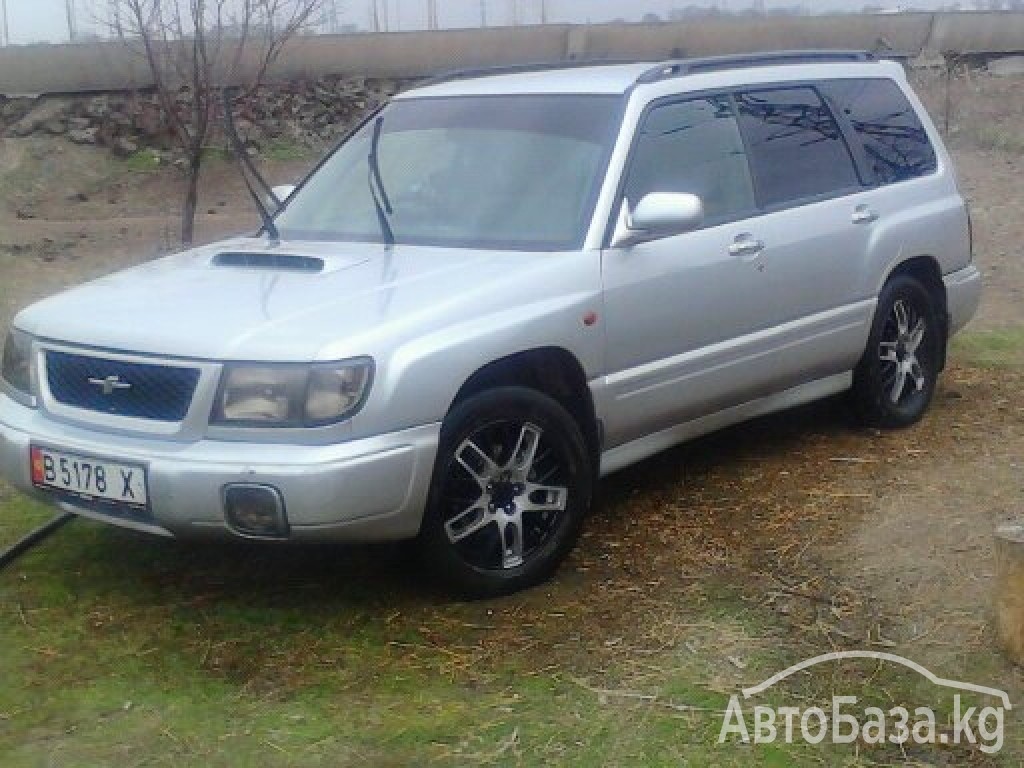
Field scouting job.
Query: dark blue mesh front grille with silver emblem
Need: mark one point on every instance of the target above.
(142, 391)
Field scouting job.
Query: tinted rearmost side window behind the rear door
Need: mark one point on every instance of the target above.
(893, 138)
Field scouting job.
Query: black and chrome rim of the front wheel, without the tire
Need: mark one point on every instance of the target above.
(504, 495)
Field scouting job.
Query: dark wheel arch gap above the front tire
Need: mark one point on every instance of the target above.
(552, 371)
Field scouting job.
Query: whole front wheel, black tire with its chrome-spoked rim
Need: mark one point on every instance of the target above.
(513, 484)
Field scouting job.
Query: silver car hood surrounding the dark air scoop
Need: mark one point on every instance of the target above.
(189, 306)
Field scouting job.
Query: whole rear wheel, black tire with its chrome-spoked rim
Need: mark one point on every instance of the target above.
(895, 380)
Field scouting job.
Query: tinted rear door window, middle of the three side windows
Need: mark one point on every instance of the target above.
(796, 147)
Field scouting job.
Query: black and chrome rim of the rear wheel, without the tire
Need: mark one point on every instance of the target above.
(901, 352)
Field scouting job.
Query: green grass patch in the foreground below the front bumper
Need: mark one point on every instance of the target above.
(109, 657)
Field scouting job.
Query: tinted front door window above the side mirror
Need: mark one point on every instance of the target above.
(694, 147)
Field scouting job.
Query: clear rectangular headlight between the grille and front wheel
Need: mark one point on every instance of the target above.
(287, 396)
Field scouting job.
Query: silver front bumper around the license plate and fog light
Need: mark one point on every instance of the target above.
(368, 490)
